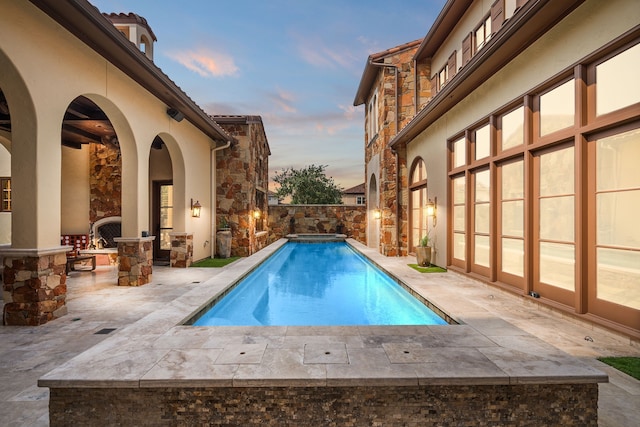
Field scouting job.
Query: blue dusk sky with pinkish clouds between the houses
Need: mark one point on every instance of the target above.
(296, 63)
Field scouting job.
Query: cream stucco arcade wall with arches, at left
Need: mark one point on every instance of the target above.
(40, 78)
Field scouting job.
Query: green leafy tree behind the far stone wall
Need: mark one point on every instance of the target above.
(308, 186)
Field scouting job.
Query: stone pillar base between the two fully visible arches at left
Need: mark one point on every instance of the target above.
(135, 256)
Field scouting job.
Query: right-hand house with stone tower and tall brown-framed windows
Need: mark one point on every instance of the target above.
(522, 142)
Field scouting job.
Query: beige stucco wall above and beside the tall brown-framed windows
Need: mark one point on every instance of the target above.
(578, 35)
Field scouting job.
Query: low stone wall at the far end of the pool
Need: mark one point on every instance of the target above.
(317, 219)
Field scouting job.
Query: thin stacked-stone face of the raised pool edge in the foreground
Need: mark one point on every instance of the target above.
(442, 405)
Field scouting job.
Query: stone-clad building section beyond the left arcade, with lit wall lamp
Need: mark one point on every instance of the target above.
(242, 176)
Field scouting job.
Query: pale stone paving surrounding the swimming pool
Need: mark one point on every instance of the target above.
(97, 305)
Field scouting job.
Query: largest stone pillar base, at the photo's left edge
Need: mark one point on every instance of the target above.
(35, 286)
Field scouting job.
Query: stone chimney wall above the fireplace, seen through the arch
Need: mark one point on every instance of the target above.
(105, 182)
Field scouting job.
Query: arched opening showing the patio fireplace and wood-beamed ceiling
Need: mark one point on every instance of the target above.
(91, 175)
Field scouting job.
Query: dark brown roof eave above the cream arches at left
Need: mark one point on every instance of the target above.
(86, 22)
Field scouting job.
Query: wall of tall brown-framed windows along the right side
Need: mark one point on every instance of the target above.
(545, 191)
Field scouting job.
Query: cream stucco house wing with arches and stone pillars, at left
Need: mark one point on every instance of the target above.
(92, 130)
